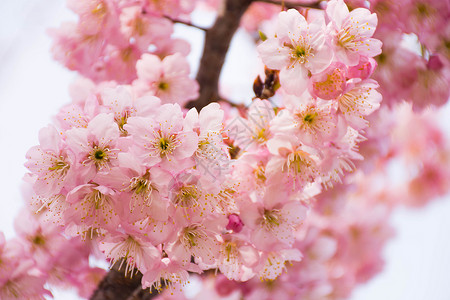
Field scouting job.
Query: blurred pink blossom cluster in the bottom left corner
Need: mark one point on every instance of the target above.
(40, 254)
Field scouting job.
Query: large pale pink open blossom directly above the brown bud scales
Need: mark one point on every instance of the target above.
(299, 48)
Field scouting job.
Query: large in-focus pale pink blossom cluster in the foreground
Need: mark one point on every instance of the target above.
(155, 185)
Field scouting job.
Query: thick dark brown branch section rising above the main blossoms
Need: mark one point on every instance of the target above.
(217, 42)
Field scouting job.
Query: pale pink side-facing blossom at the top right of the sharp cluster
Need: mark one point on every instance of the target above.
(352, 32)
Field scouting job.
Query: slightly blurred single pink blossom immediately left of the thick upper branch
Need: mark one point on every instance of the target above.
(167, 79)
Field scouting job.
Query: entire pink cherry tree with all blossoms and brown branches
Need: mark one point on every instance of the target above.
(169, 179)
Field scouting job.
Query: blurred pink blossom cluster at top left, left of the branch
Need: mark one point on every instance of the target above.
(111, 36)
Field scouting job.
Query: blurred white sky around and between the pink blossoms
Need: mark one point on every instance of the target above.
(33, 87)
